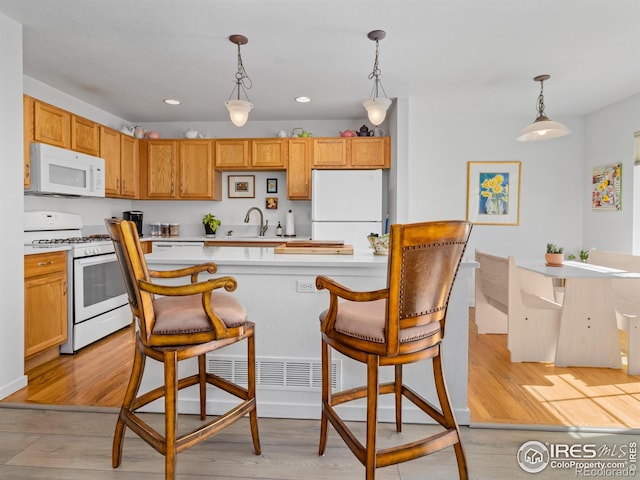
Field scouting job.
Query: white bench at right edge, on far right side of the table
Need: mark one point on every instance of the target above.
(626, 293)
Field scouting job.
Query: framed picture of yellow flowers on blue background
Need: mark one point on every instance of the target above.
(493, 193)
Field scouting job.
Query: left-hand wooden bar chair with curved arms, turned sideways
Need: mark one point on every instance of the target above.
(176, 323)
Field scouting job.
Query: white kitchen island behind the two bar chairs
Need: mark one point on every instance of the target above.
(278, 291)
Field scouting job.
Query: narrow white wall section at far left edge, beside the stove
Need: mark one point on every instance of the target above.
(12, 376)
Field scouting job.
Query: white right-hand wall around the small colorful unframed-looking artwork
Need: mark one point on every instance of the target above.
(609, 139)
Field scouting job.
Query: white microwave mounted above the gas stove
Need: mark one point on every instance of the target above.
(57, 171)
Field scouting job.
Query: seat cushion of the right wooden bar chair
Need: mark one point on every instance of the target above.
(365, 320)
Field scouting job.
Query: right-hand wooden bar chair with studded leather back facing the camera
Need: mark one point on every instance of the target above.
(394, 326)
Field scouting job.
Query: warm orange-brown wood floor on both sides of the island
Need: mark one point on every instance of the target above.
(500, 392)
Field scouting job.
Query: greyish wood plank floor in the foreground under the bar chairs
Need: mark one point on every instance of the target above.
(37, 444)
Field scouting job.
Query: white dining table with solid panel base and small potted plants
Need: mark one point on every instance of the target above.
(588, 333)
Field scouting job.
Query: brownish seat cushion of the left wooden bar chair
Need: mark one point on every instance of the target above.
(179, 315)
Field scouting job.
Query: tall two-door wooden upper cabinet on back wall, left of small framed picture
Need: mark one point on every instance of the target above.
(179, 169)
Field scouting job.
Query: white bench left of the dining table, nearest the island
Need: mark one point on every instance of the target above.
(519, 303)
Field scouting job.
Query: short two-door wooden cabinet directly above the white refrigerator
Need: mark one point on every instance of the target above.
(351, 153)
